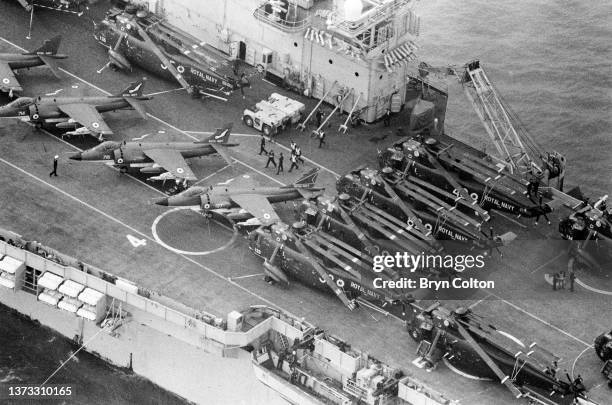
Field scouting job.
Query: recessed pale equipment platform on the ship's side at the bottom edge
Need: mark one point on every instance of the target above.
(323, 369)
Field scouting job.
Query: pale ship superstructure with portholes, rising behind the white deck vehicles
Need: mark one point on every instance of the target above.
(353, 52)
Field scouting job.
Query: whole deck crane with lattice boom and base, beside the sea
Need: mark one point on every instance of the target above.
(518, 150)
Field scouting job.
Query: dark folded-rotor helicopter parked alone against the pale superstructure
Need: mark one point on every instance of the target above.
(134, 36)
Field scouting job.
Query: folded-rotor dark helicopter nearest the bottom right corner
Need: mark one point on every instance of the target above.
(475, 349)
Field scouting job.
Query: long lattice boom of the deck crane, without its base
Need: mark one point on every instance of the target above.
(495, 119)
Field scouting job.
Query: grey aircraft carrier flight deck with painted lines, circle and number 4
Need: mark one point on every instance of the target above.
(109, 219)
